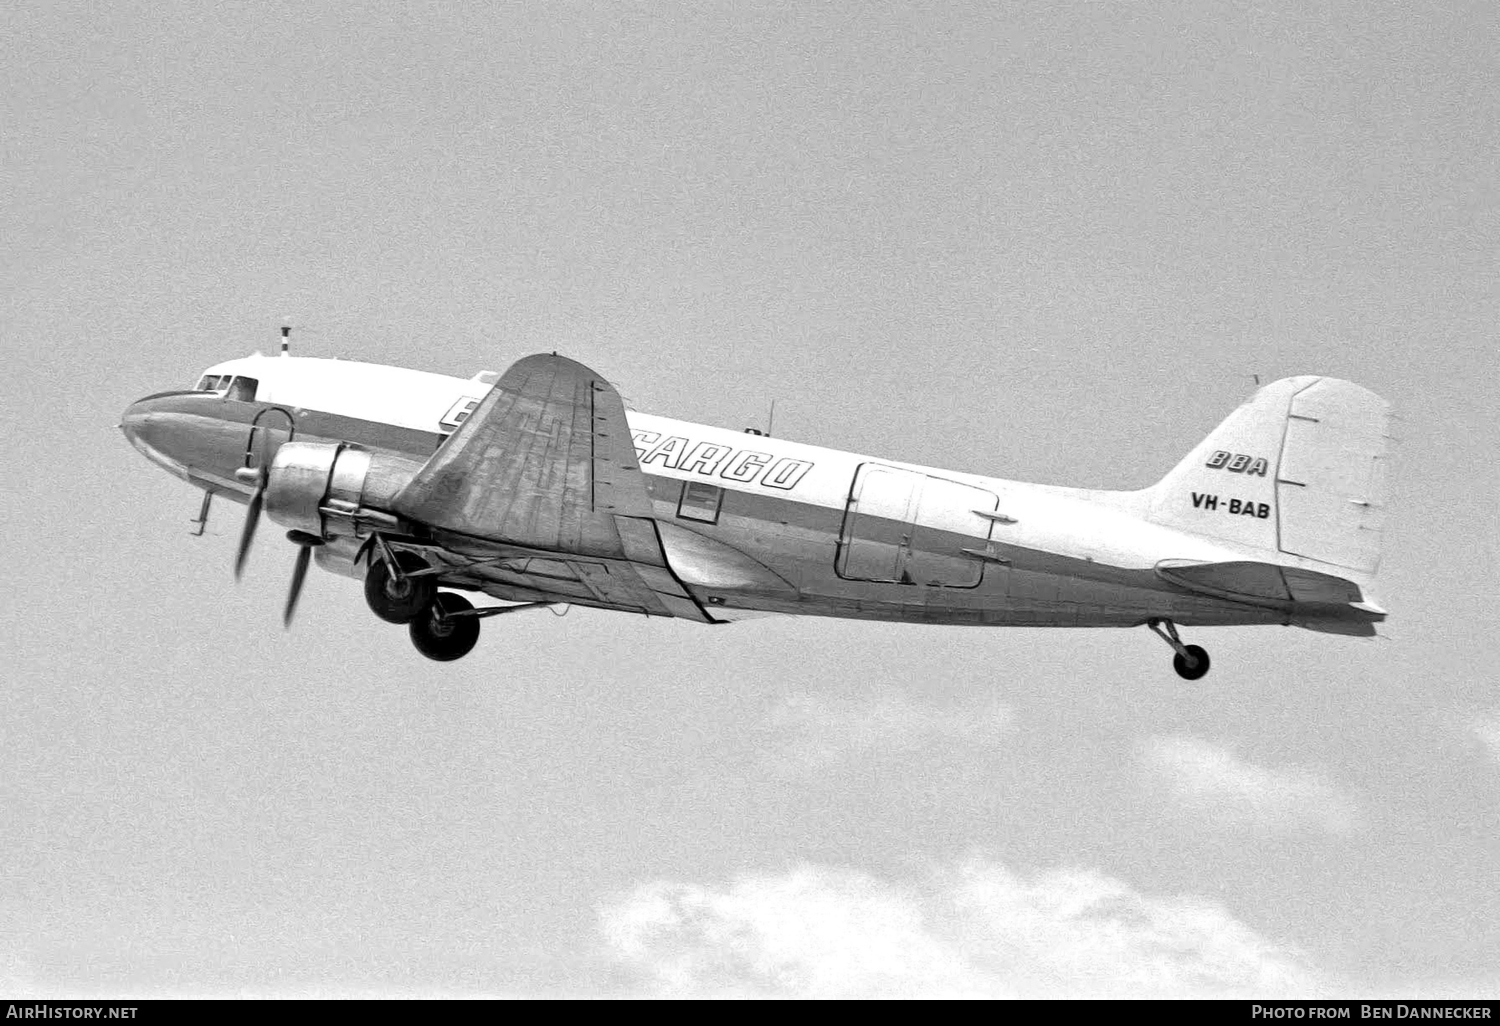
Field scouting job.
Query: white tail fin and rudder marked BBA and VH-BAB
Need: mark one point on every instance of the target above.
(1300, 469)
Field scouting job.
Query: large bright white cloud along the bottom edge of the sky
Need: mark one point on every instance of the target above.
(968, 931)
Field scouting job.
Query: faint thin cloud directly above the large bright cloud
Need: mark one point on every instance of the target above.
(821, 730)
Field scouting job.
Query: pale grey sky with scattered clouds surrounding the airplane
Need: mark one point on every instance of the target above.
(1045, 242)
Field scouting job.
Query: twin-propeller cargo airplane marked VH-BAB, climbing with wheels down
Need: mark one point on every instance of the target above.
(538, 488)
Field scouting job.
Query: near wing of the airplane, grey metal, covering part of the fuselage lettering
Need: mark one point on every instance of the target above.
(547, 464)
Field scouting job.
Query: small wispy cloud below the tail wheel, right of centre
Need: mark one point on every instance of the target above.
(1222, 788)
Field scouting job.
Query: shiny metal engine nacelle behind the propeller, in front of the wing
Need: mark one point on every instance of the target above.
(335, 490)
